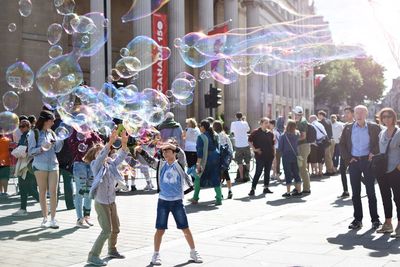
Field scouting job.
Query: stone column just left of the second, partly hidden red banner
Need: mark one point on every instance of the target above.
(206, 22)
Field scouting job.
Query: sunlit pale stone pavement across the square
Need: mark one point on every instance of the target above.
(258, 231)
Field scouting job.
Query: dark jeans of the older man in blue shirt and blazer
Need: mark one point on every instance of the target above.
(356, 170)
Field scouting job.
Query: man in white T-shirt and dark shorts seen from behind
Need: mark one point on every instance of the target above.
(240, 129)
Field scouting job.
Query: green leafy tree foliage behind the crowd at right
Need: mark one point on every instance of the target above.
(349, 82)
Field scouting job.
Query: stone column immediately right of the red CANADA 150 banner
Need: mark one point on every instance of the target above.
(176, 18)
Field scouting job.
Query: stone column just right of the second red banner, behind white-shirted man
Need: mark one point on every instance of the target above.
(231, 92)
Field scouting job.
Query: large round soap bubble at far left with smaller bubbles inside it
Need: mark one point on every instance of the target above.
(69, 76)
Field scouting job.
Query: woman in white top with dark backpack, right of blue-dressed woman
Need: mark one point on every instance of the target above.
(226, 151)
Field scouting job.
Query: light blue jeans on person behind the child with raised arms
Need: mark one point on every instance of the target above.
(83, 181)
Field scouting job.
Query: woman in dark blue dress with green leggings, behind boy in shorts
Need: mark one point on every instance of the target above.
(208, 163)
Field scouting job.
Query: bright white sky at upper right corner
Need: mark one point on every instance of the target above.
(359, 22)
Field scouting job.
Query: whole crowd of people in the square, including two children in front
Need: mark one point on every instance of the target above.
(200, 156)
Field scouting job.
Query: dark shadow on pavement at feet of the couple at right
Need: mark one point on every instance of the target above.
(381, 246)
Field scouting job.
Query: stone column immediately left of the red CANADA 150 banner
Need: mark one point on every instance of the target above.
(143, 27)
